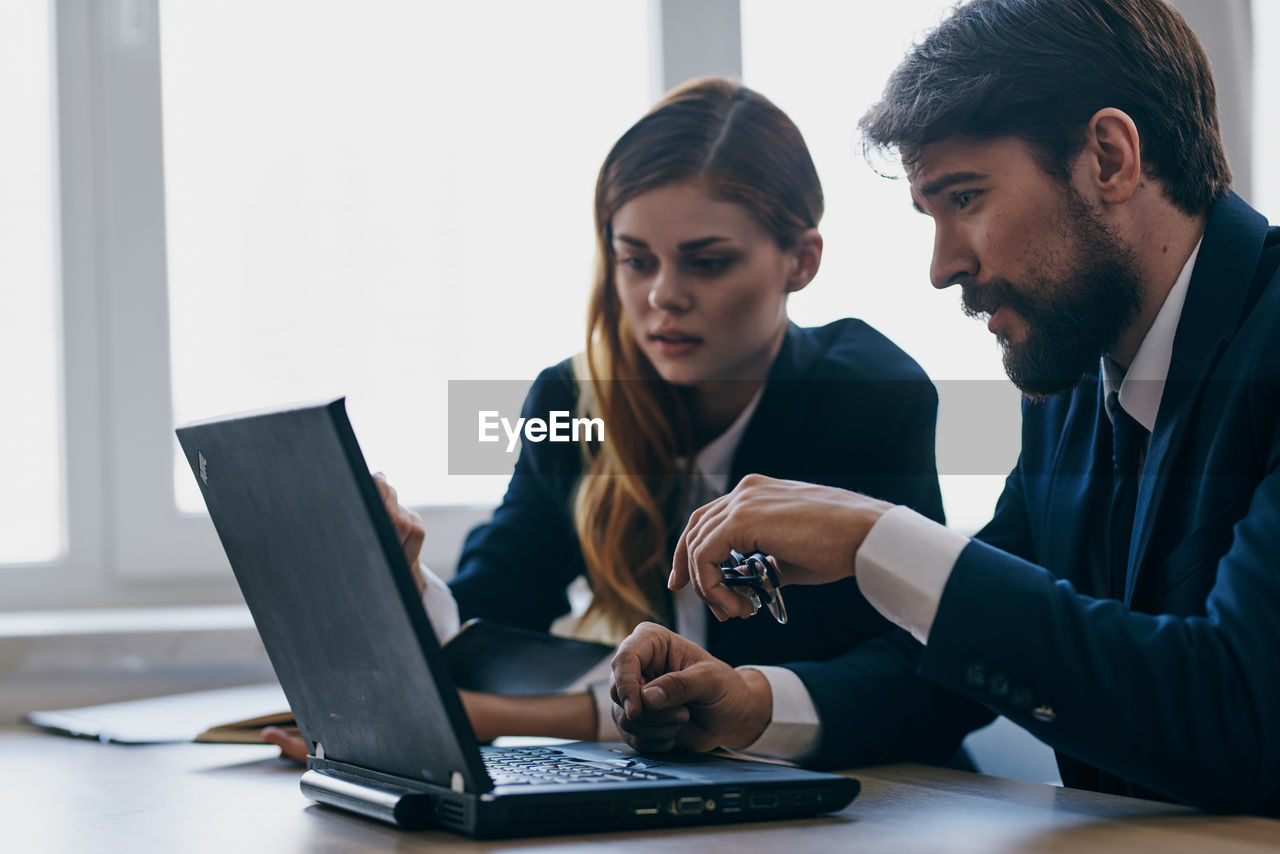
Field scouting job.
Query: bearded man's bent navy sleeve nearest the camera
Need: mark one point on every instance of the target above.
(1185, 706)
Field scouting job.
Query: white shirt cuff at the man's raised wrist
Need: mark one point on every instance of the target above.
(903, 568)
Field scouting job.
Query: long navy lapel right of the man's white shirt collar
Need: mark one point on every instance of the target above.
(1215, 300)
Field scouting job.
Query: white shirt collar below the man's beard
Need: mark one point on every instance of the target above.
(1144, 386)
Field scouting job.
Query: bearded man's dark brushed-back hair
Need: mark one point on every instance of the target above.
(1040, 70)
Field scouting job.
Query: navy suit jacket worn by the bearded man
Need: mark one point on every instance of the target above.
(1176, 691)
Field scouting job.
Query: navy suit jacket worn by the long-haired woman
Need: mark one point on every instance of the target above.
(843, 407)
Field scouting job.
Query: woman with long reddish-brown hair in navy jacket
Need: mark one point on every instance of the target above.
(707, 221)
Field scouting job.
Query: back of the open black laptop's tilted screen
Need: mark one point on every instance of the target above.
(322, 570)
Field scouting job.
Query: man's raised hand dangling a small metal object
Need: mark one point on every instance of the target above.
(812, 532)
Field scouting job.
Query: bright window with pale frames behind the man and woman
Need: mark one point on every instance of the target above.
(367, 198)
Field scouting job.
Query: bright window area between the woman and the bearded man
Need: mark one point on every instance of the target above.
(825, 62)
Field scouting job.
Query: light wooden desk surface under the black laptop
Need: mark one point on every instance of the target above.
(63, 794)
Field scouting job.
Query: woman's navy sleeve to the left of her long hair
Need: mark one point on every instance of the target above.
(518, 568)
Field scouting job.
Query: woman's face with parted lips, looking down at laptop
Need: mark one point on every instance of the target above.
(703, 285)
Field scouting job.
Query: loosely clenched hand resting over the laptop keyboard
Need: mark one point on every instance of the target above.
(669, 692)
